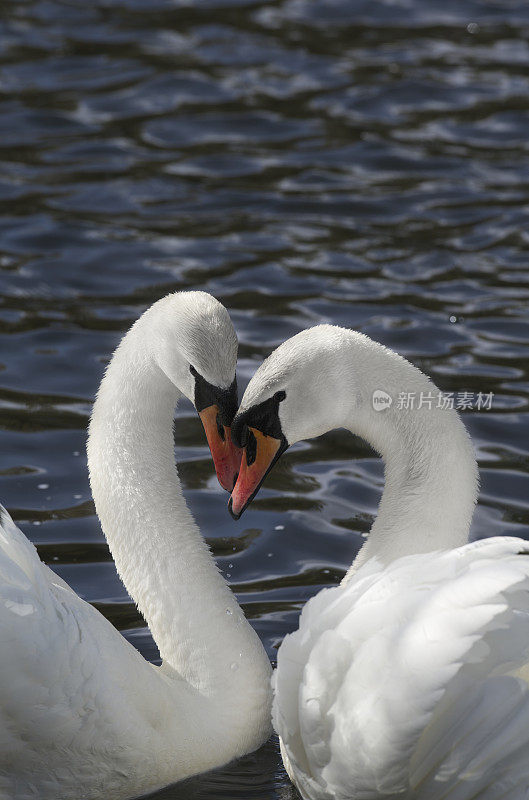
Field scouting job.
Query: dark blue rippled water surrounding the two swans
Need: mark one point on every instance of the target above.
(362, 163)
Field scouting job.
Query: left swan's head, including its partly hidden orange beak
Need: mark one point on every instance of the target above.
(196, 347)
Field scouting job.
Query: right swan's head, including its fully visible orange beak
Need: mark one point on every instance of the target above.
(292, 396)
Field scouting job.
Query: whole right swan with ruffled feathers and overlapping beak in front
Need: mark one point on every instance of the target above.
(410, 678)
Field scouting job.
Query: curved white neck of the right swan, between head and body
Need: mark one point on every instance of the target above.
(431, 476)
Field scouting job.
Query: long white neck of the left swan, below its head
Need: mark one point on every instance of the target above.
(160, 555)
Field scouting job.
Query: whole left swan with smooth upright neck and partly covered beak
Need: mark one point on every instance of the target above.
(82, 714)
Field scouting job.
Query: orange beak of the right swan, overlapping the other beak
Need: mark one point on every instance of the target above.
(264, 450)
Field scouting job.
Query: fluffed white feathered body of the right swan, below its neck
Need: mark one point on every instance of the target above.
(409, 680)
